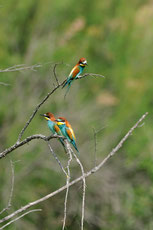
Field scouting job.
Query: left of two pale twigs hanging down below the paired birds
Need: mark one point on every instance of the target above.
(67, 182)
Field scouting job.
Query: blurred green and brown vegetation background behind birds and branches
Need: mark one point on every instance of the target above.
(116, 37)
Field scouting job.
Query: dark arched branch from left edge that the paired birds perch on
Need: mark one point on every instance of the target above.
(26, 140)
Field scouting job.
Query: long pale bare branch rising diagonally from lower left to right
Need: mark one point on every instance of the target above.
(93, 170)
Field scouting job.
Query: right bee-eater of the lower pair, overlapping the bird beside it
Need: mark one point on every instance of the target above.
(67, 131)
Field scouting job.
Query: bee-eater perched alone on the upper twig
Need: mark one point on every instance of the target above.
(75, 72)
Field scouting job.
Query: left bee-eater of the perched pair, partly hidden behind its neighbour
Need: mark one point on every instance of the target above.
(53, 126)
